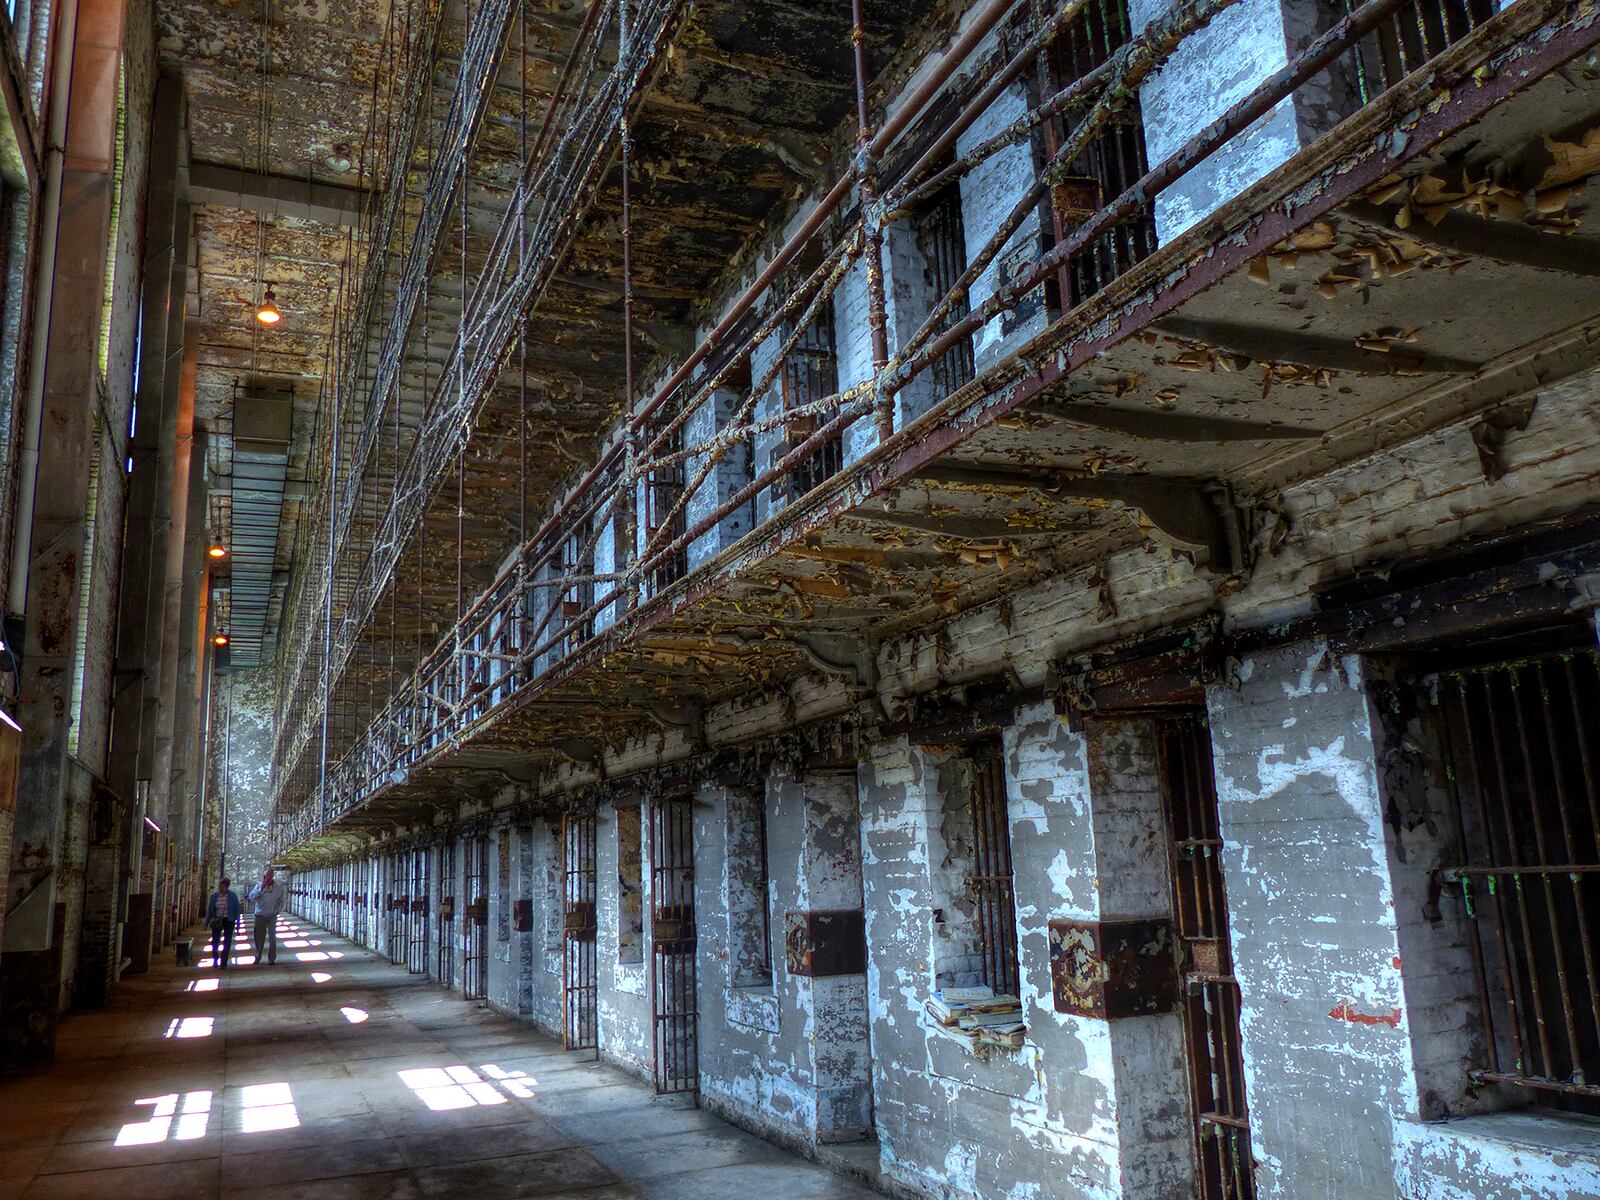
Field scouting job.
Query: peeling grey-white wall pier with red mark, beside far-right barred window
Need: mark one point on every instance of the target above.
(1316, 926)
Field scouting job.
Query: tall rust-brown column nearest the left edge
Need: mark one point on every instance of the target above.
(31, 966)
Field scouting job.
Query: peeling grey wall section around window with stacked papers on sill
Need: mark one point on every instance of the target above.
(1095, 1098)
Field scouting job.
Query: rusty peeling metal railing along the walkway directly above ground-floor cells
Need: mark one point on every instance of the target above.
(538, 614)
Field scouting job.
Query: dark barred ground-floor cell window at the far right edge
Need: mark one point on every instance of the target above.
(1522, 742)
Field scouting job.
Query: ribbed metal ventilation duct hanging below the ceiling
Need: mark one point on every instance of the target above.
(263, 426)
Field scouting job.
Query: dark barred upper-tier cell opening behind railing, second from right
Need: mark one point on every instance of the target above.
(1111, 162)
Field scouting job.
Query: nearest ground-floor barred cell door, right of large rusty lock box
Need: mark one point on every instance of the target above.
(1210, 993)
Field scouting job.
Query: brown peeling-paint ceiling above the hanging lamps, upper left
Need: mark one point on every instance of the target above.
(282, 89)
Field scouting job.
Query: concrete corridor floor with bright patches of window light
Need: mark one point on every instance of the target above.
(338, 1076)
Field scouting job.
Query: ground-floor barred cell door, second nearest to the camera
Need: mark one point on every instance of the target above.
(674, 1004)
